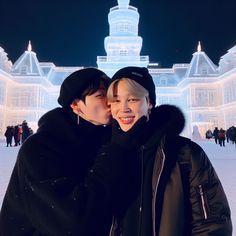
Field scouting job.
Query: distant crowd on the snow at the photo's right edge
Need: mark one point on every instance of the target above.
(220, 135)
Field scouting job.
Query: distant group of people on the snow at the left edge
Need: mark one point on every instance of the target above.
(19, 133)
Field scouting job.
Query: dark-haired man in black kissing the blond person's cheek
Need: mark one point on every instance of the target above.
(51, 192)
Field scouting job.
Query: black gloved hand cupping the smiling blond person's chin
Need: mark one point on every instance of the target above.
(132, 138)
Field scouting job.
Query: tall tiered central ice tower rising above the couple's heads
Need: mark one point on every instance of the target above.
(123, 45)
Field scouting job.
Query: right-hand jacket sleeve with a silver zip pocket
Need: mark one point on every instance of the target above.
(210, 208)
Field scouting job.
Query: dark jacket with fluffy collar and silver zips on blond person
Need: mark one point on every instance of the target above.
(179, 192)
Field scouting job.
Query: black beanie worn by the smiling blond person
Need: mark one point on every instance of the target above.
(139, 75)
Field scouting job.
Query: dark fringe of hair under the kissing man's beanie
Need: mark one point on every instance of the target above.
(94, 87)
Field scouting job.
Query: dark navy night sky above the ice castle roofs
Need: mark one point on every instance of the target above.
(72, 32)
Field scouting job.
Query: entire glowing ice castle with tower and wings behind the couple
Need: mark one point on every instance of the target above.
(204, 91)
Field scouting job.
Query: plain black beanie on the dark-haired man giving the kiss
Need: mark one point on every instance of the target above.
(76, 83)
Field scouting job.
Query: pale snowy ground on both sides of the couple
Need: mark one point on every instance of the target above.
(222, 158)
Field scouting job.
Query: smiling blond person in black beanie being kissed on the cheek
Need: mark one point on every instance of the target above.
(172, 188)
